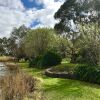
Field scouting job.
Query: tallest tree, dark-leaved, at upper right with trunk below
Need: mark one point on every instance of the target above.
(74, 18)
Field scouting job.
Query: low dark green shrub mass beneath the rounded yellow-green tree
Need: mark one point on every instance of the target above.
(47, 60)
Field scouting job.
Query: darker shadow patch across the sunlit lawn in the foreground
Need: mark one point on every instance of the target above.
(65, 86)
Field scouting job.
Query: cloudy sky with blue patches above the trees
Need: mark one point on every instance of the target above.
(31, 13)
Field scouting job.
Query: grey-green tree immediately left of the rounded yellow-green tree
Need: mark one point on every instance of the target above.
(16, 44)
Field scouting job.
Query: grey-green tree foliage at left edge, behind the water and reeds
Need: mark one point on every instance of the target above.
(13, 46)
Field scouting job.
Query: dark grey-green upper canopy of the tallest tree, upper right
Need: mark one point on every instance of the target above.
(77, 11)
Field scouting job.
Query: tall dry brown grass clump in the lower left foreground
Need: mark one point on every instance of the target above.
(17, 87)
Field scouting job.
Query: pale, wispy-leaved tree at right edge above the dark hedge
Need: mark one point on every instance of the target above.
(90, 46)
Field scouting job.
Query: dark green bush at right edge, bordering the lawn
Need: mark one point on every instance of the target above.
(88, 74)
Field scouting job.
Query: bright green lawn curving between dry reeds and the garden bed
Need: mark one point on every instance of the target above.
(64, 89)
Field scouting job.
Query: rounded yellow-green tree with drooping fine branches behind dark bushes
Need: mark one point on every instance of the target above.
(37, 41)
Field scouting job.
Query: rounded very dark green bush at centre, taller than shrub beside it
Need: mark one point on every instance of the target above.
(51, 59)
